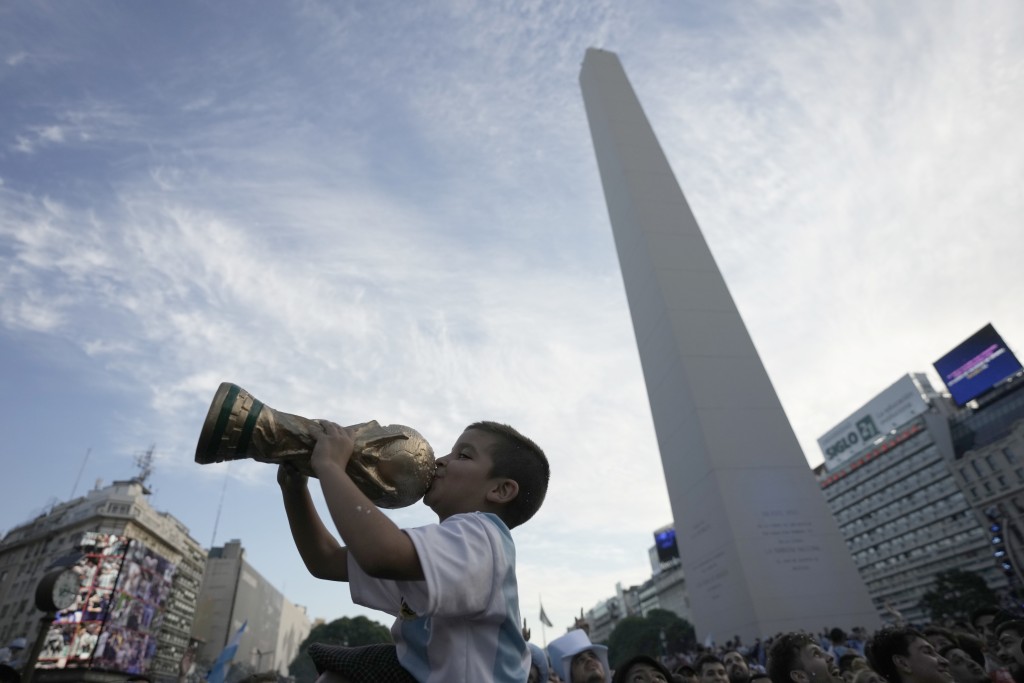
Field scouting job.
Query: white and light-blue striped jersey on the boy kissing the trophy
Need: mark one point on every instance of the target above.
(461, 623)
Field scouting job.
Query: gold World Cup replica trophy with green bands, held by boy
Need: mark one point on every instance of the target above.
(393, 465)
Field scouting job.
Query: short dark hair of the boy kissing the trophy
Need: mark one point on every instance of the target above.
(517, 457)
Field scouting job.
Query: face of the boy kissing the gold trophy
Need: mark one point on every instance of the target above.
(463, 479)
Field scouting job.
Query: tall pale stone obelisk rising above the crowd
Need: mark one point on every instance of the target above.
(759, 548)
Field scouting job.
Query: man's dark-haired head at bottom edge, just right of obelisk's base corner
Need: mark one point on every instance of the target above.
(905, 656)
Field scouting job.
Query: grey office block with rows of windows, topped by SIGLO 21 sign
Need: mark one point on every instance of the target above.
(888, 481)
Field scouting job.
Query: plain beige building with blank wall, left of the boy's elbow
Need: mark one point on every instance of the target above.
(234, 593)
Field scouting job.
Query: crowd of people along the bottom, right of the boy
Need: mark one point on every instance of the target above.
(989, 650)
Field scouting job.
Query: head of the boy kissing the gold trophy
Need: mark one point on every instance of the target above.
(492, 468)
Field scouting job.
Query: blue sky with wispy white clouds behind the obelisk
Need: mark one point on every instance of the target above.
(393, 211)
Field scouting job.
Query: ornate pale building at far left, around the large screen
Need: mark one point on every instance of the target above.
(121, 509)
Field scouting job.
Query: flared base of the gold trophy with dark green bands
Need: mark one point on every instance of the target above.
(229, 426)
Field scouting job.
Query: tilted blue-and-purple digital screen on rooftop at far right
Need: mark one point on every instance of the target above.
(977, 365)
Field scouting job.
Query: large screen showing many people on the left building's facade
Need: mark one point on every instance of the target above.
(114, 623)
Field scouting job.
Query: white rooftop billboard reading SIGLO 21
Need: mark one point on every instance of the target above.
(897, 406)
